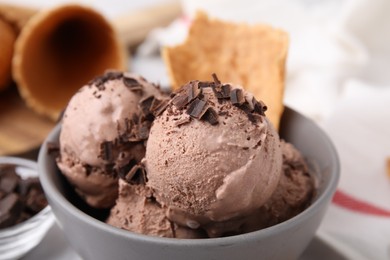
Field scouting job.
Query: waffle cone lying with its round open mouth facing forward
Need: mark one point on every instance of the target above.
(58, 51)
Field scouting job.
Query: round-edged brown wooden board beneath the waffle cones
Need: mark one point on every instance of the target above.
(21, 129)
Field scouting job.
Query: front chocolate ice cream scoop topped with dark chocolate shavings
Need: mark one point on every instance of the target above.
(212, 155)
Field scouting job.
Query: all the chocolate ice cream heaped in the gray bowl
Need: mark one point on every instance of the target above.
(205, 163)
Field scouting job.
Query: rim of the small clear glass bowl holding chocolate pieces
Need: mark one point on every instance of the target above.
(20, 227)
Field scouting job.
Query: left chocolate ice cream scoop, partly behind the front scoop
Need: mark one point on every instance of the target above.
(103, 131)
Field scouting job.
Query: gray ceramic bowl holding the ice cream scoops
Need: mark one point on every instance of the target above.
(93, 239)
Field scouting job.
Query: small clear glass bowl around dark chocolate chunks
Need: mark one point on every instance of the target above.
(18, 240)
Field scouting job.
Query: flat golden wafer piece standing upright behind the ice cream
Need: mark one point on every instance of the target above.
(252, 56)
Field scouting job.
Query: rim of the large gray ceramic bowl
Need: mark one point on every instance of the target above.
(326, 195)
